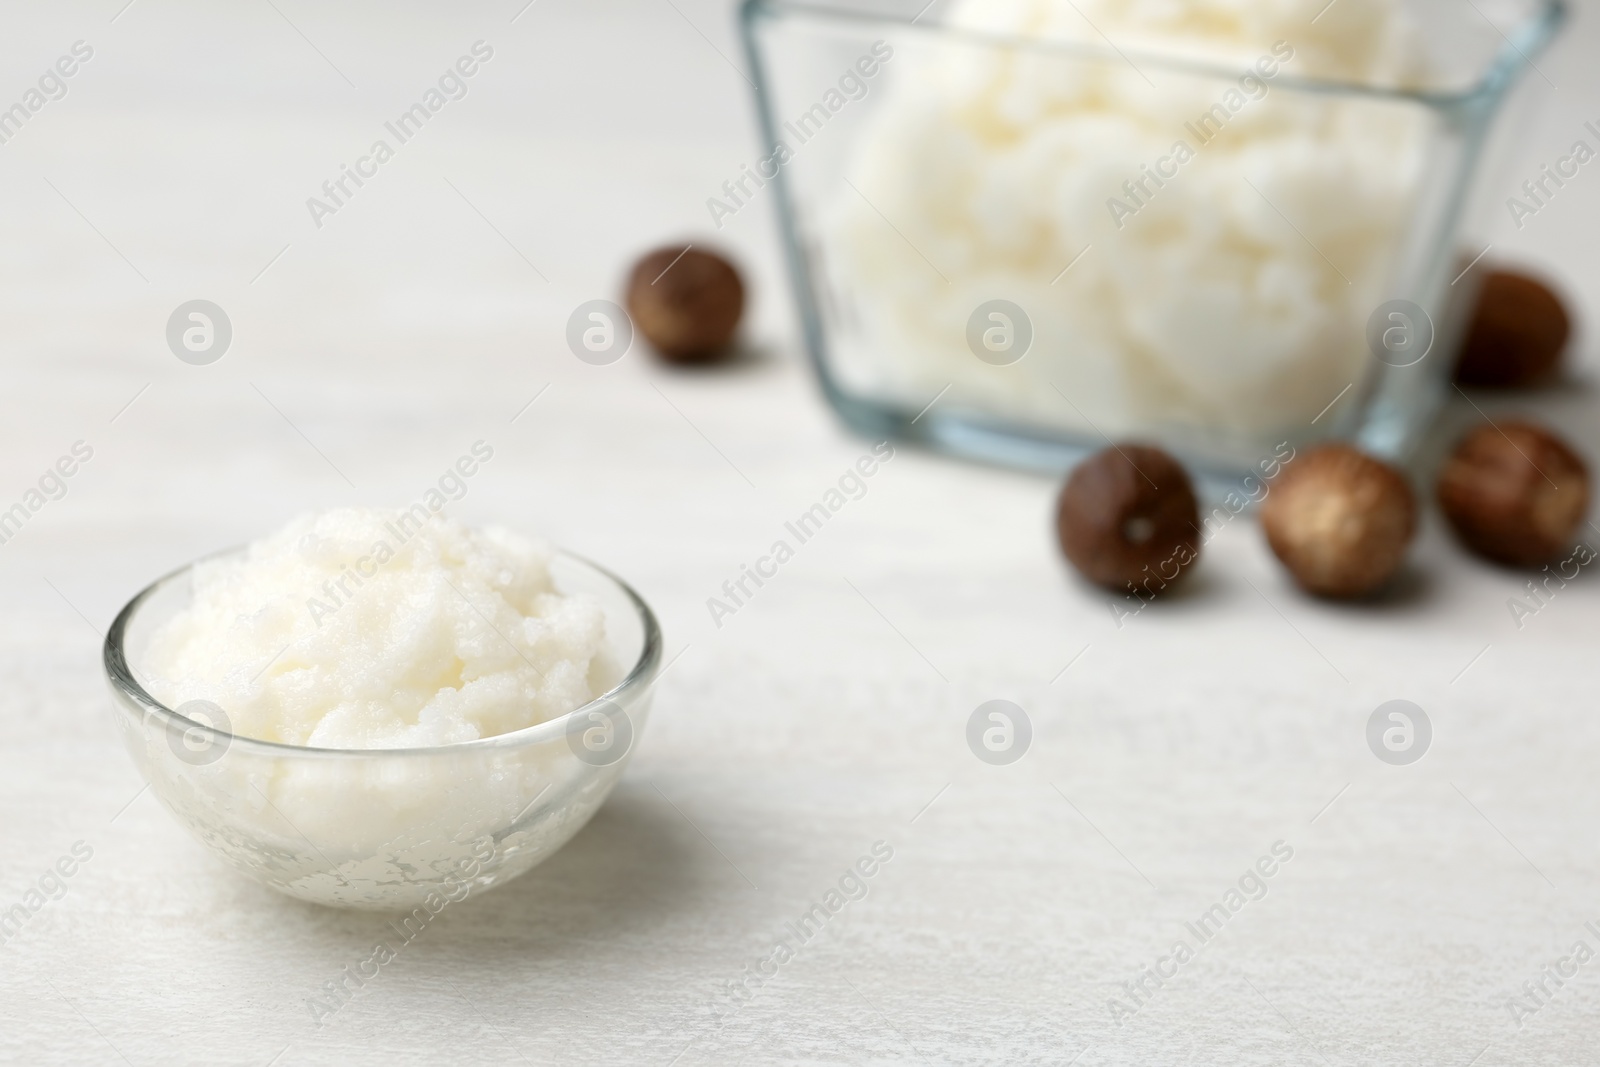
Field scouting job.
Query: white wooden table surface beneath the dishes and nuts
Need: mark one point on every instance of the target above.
(823, 717)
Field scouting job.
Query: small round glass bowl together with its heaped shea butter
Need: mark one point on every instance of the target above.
(378, 713)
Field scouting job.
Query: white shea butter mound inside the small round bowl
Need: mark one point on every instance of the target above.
(369, 629)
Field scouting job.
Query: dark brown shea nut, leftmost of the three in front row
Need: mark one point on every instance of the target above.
(1129, 518)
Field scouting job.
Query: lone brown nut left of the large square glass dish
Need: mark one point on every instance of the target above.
(687, 303)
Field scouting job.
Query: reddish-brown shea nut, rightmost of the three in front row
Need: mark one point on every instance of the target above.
(1516, 494)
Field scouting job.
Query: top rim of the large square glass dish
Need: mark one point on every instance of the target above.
(1535, 34)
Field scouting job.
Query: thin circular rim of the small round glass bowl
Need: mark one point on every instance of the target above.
(132, 693)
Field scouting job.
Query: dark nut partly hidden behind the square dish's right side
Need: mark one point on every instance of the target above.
(1516, 337)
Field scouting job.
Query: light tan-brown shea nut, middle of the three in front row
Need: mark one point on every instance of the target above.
(1340, 521)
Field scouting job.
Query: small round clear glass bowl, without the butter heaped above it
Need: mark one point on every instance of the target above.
(388, 829)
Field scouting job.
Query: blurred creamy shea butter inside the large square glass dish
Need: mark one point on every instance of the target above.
(1225, 303)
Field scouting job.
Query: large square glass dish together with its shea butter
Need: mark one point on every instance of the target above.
(1022, 228)
